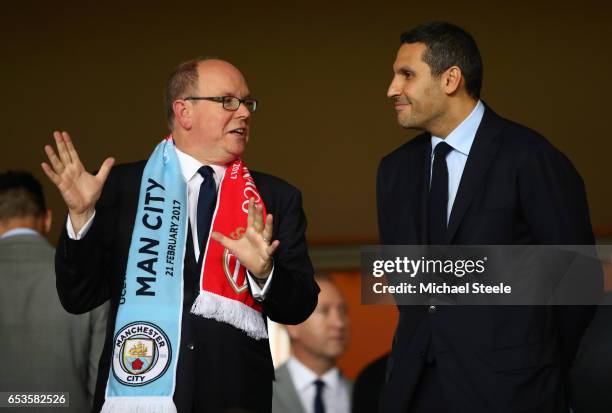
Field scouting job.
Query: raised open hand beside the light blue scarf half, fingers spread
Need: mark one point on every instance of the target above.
(79, 188)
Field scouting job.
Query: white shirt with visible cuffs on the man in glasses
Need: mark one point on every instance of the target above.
(189, 168)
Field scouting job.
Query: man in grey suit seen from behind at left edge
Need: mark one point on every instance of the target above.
(43, 348)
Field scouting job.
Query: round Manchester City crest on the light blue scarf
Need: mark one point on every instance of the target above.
(141, 354)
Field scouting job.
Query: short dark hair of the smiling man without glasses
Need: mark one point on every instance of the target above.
(449, 45)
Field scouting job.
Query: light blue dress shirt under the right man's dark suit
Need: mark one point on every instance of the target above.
(460, 139)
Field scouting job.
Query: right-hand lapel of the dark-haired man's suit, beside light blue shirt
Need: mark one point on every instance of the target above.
(486, 143)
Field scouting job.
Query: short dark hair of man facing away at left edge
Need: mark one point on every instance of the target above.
(21, 196)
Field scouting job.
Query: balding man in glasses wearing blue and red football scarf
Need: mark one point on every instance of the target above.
(185, 247)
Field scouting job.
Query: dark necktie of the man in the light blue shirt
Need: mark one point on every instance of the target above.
(438, 195)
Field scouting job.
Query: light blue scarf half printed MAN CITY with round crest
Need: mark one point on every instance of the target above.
(148, 325)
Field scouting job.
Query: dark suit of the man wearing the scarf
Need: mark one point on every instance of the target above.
(219, 366)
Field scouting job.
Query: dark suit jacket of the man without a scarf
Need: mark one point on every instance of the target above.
(516, 188)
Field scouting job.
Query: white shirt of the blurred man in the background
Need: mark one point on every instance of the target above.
(335, 392)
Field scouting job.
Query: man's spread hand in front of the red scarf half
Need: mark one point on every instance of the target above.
(254, 249)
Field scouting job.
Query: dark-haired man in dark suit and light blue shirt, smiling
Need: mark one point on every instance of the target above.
(474, 178)
